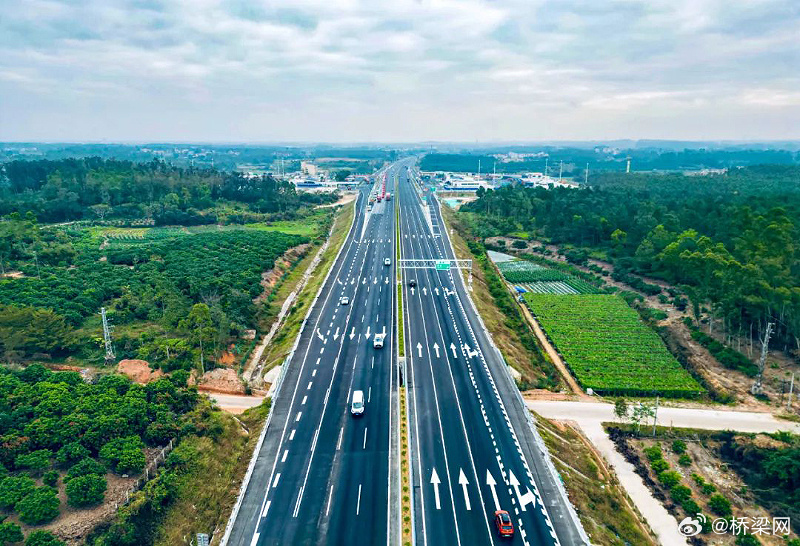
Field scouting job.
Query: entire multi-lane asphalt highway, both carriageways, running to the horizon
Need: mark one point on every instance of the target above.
(323, 477)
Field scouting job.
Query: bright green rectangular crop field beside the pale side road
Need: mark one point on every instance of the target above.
(608, 348)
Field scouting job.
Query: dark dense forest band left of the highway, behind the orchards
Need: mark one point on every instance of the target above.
(98, 189)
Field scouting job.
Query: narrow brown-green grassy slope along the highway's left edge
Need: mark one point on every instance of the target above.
(282, 343)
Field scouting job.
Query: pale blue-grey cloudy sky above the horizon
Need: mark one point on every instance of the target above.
(399, 70)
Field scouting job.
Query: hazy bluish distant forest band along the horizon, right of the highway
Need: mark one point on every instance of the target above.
(602, 159)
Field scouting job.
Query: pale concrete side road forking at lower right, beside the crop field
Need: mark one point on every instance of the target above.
(591, 415)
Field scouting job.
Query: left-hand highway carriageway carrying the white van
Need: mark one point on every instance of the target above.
(322, 476)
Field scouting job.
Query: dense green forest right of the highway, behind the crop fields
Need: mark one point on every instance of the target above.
(730, 239)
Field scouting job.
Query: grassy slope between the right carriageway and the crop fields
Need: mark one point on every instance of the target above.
(510, 333)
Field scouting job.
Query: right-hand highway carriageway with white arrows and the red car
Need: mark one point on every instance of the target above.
(473, 450)
